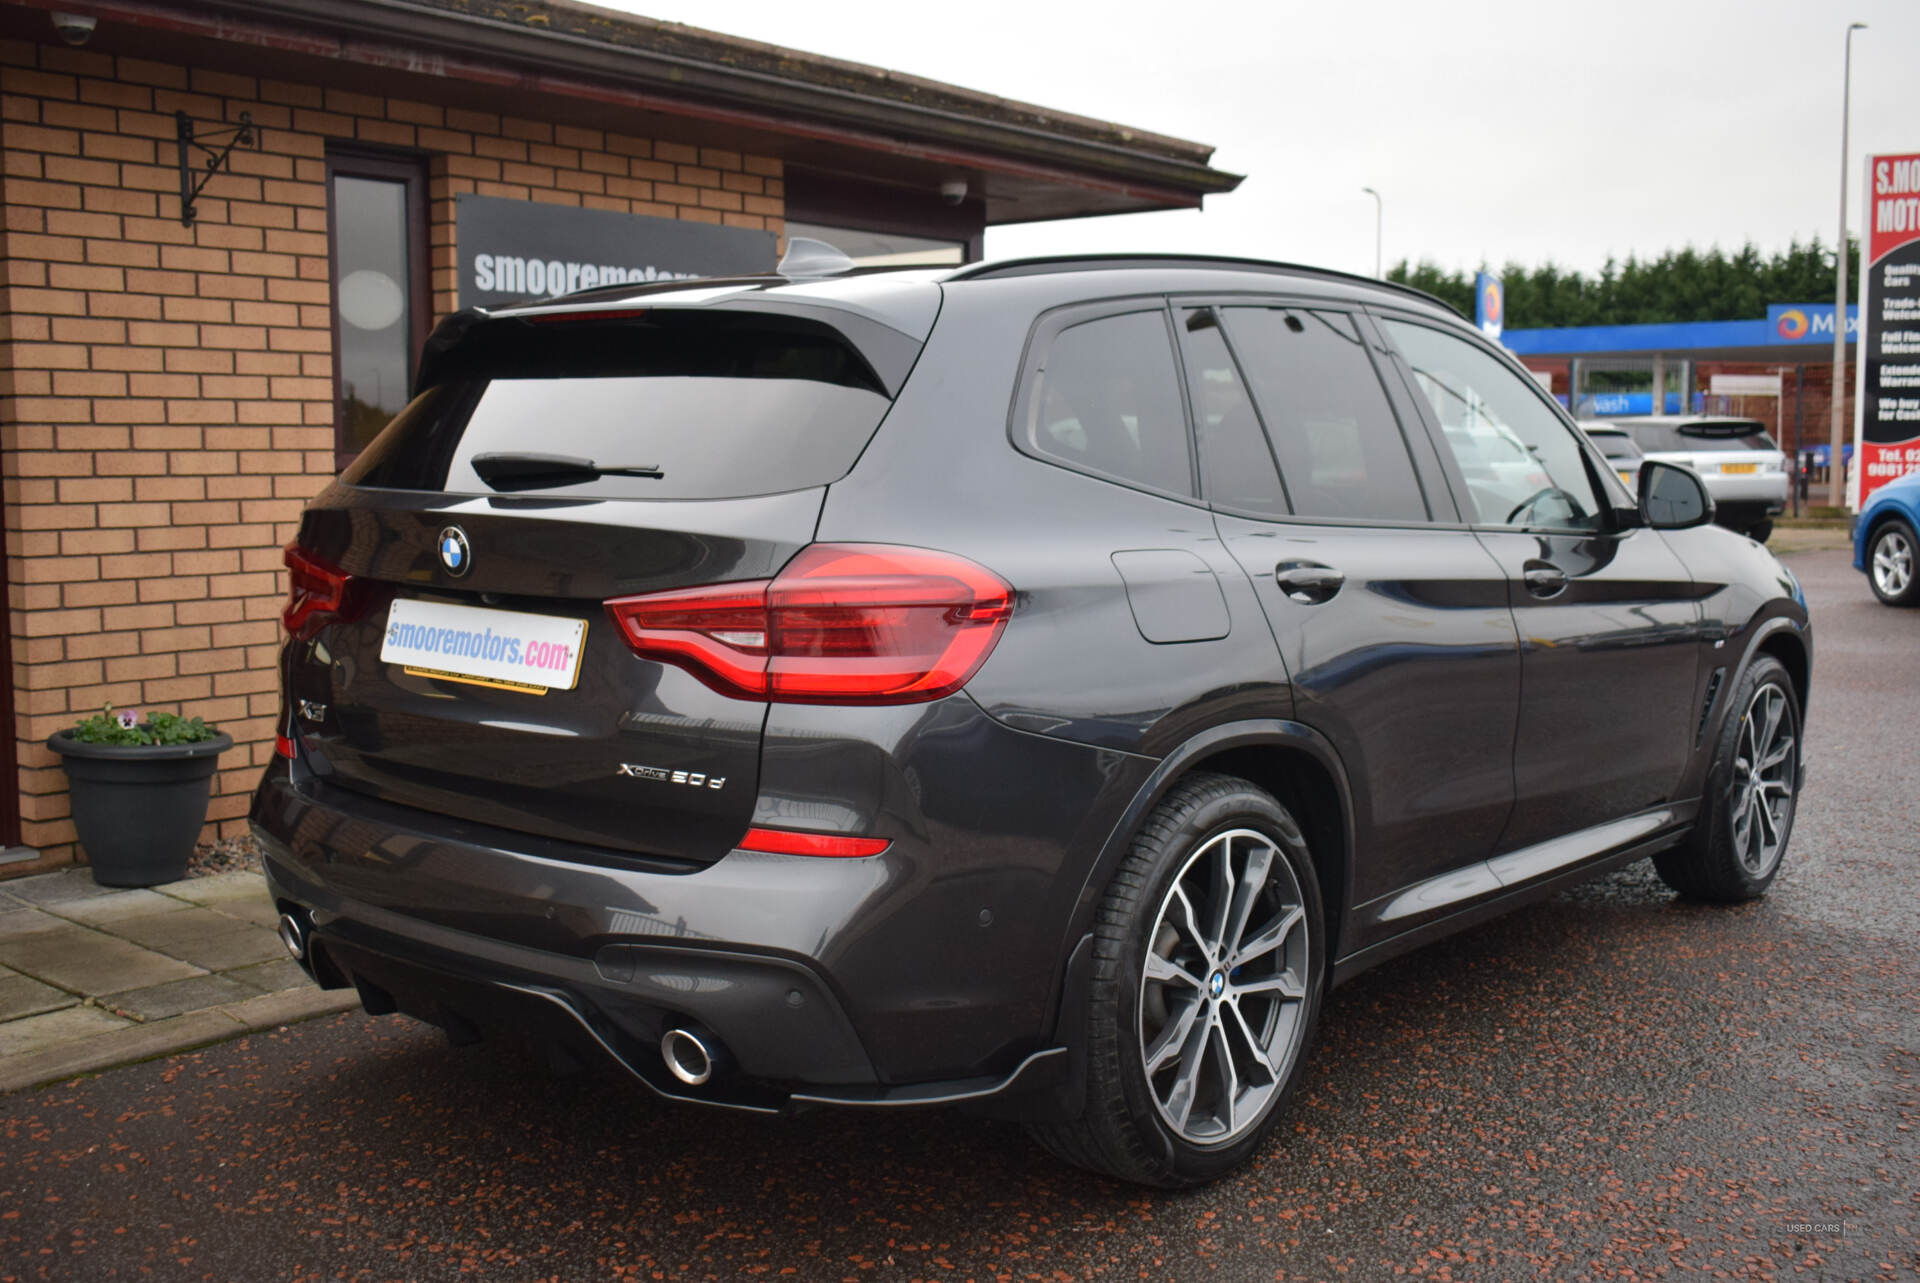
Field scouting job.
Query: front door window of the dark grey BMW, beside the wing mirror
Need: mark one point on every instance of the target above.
(1522, 464)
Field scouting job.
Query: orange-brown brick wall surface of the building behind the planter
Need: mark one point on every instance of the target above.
(166, 393)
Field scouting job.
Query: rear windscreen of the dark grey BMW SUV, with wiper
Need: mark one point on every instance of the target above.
(661, 404)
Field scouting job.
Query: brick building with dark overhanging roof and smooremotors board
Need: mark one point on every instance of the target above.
(176, 389)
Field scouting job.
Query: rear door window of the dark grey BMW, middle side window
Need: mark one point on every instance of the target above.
(1332, 425)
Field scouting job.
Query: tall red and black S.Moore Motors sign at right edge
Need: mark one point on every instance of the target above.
(1886, 408)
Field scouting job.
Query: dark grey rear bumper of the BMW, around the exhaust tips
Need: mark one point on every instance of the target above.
(928, 973)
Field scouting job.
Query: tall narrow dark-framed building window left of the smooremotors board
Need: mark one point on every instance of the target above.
(377, 222)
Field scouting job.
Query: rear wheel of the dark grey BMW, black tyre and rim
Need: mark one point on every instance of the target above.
(1124, 1130)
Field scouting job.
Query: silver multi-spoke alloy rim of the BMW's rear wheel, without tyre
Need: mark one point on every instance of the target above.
(1224, 988)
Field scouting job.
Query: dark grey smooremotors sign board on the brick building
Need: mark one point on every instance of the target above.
(521, 249)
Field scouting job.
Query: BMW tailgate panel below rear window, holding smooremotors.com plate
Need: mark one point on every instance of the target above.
(619, 752)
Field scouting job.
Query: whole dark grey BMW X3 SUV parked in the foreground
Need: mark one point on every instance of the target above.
(1026, 685)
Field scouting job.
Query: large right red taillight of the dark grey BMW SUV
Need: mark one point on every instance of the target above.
(842, 623)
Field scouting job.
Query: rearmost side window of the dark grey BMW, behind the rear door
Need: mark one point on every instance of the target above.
(1109, 400)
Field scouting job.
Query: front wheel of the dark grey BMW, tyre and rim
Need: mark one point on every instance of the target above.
(1719, 859)
